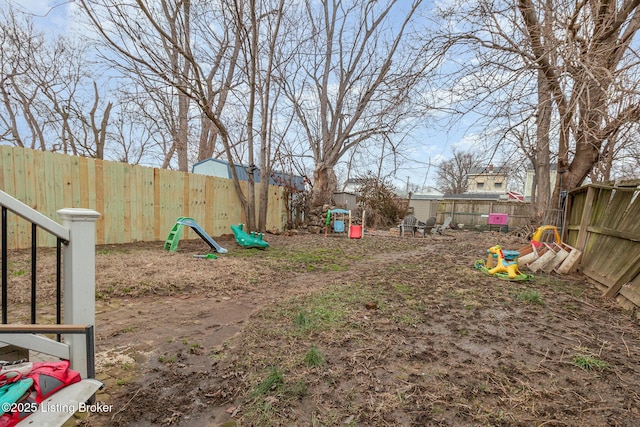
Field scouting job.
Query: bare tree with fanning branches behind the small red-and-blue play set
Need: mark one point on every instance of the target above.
(351, 76)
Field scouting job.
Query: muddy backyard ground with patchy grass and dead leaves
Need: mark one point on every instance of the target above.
(330, 331)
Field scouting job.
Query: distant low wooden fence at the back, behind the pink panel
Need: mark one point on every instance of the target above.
(474, 213)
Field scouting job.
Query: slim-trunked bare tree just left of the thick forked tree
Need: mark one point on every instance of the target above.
(493, 83)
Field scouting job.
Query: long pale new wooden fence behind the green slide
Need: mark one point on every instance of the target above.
(136, 203)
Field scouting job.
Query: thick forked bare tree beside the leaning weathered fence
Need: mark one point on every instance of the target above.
(592, 40)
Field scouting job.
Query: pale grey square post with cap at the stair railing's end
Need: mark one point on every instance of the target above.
(79, 279)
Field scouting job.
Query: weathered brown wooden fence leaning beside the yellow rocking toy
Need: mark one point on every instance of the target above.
(603, 221)
